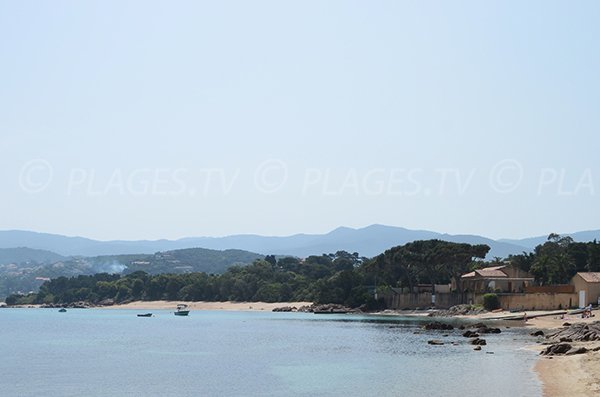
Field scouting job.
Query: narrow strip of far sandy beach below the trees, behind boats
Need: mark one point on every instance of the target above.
(234, 306)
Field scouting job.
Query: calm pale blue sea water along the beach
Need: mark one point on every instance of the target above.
(115, 353)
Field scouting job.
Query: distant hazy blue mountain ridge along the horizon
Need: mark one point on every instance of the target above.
(368, 241)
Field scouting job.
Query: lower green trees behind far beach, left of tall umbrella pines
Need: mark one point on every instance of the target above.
(326, 278)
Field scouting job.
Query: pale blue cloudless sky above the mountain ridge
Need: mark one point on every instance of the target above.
(149, 119)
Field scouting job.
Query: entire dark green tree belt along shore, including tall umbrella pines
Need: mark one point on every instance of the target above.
(344, 278)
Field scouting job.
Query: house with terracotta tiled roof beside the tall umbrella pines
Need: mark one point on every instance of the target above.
(502, 279)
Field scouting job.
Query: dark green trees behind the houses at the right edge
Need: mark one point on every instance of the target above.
(558, 259)
